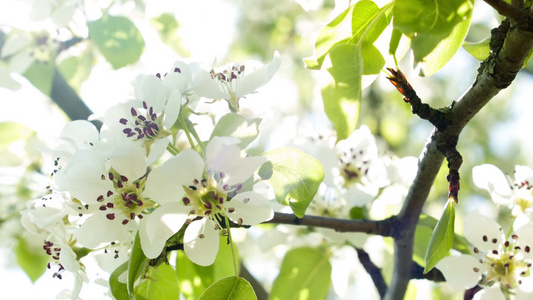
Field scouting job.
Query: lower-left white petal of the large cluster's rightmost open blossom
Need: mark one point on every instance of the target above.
(158, 227)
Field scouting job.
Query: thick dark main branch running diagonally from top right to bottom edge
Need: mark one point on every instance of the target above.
(495, 74)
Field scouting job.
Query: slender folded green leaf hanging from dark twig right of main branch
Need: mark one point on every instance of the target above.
(441, 240)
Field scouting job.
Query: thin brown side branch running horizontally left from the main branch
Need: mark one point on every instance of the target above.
(382, 227)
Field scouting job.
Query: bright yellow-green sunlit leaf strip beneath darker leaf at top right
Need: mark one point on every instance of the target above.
(446, 48)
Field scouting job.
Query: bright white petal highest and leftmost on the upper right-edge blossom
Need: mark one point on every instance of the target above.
(492, 179)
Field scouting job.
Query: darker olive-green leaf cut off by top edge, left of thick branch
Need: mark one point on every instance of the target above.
(427, 22)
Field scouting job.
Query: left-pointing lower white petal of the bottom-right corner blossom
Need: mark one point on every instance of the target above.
(461, 272)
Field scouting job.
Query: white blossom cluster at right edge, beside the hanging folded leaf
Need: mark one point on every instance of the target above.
(500, 261)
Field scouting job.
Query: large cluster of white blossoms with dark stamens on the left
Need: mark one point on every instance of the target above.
(130, 177)
